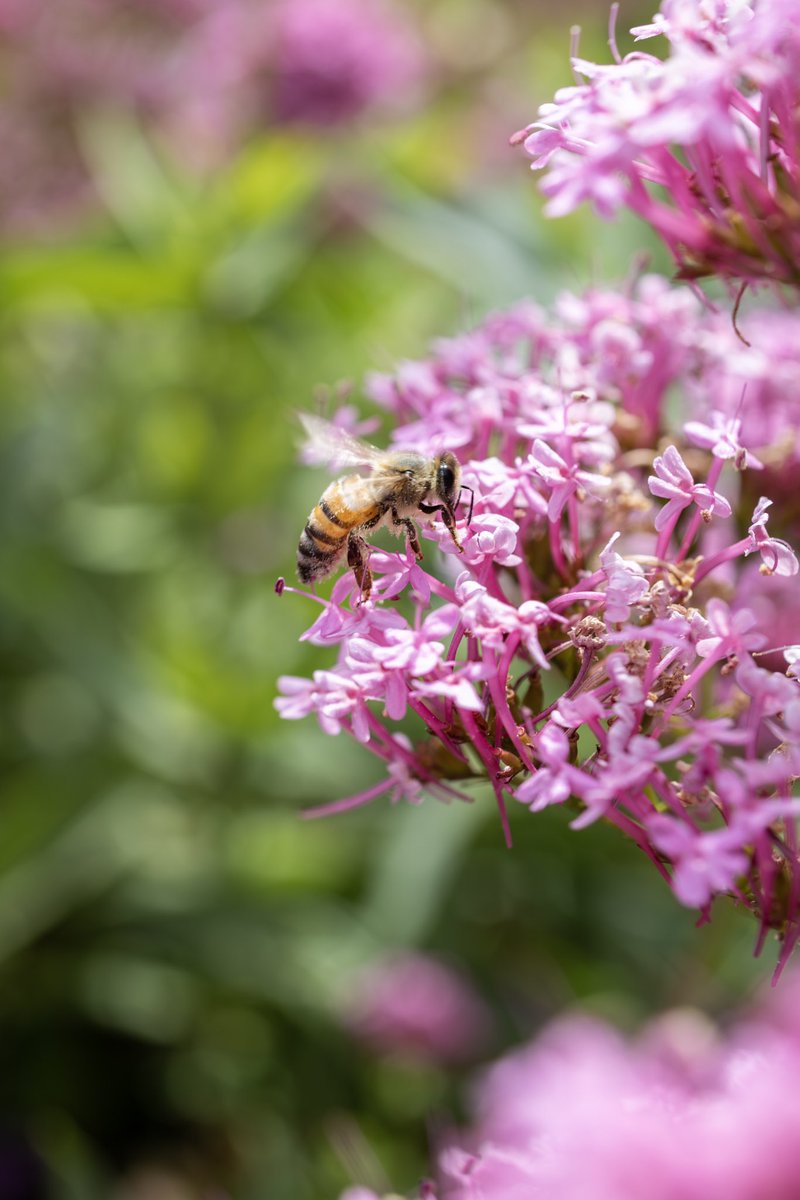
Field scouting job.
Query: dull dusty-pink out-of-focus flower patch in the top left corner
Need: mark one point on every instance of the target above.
(61, 64)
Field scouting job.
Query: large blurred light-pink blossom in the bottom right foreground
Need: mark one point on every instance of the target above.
(681, 1113)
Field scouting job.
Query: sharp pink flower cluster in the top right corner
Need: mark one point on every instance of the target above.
(705, 146)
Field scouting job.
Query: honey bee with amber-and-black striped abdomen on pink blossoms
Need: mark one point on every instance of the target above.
(400, 485)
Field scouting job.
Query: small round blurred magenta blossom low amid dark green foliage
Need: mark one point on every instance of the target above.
(418, 1009)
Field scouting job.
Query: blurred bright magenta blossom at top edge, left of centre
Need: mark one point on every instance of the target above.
(250, 65)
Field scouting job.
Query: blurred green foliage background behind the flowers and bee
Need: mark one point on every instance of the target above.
(177, 946)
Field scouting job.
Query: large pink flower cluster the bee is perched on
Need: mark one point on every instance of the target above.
(590, 647)
